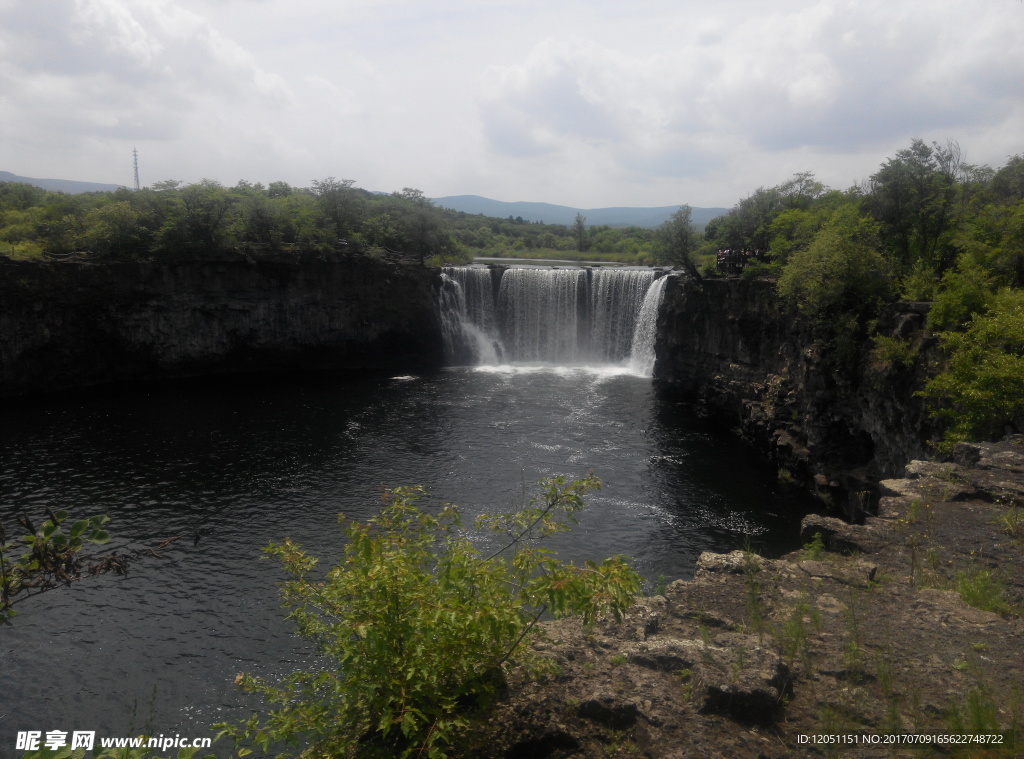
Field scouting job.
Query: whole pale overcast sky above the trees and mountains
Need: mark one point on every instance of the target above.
(588, 105)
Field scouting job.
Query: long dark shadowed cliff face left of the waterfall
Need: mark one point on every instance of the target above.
(70, 325)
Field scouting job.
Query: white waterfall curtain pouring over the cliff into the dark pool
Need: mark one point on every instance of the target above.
(554, 316)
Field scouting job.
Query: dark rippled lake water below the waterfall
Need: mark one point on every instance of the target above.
(252, 461)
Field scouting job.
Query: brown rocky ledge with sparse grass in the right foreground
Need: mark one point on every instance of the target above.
(911, 623)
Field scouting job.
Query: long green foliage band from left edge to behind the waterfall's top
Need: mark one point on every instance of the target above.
(330, 216)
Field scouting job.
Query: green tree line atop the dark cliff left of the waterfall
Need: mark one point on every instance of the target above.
(173, 219)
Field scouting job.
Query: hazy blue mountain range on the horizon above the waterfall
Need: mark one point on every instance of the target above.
(552, 215)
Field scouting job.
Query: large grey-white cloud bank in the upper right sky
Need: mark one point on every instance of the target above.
(826, 77)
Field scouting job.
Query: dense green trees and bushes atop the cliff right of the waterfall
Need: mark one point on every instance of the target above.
(926, 227)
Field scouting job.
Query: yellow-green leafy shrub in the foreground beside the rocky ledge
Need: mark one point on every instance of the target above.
(418, 628)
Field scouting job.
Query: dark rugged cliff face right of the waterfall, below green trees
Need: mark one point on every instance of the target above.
(728, 346)
